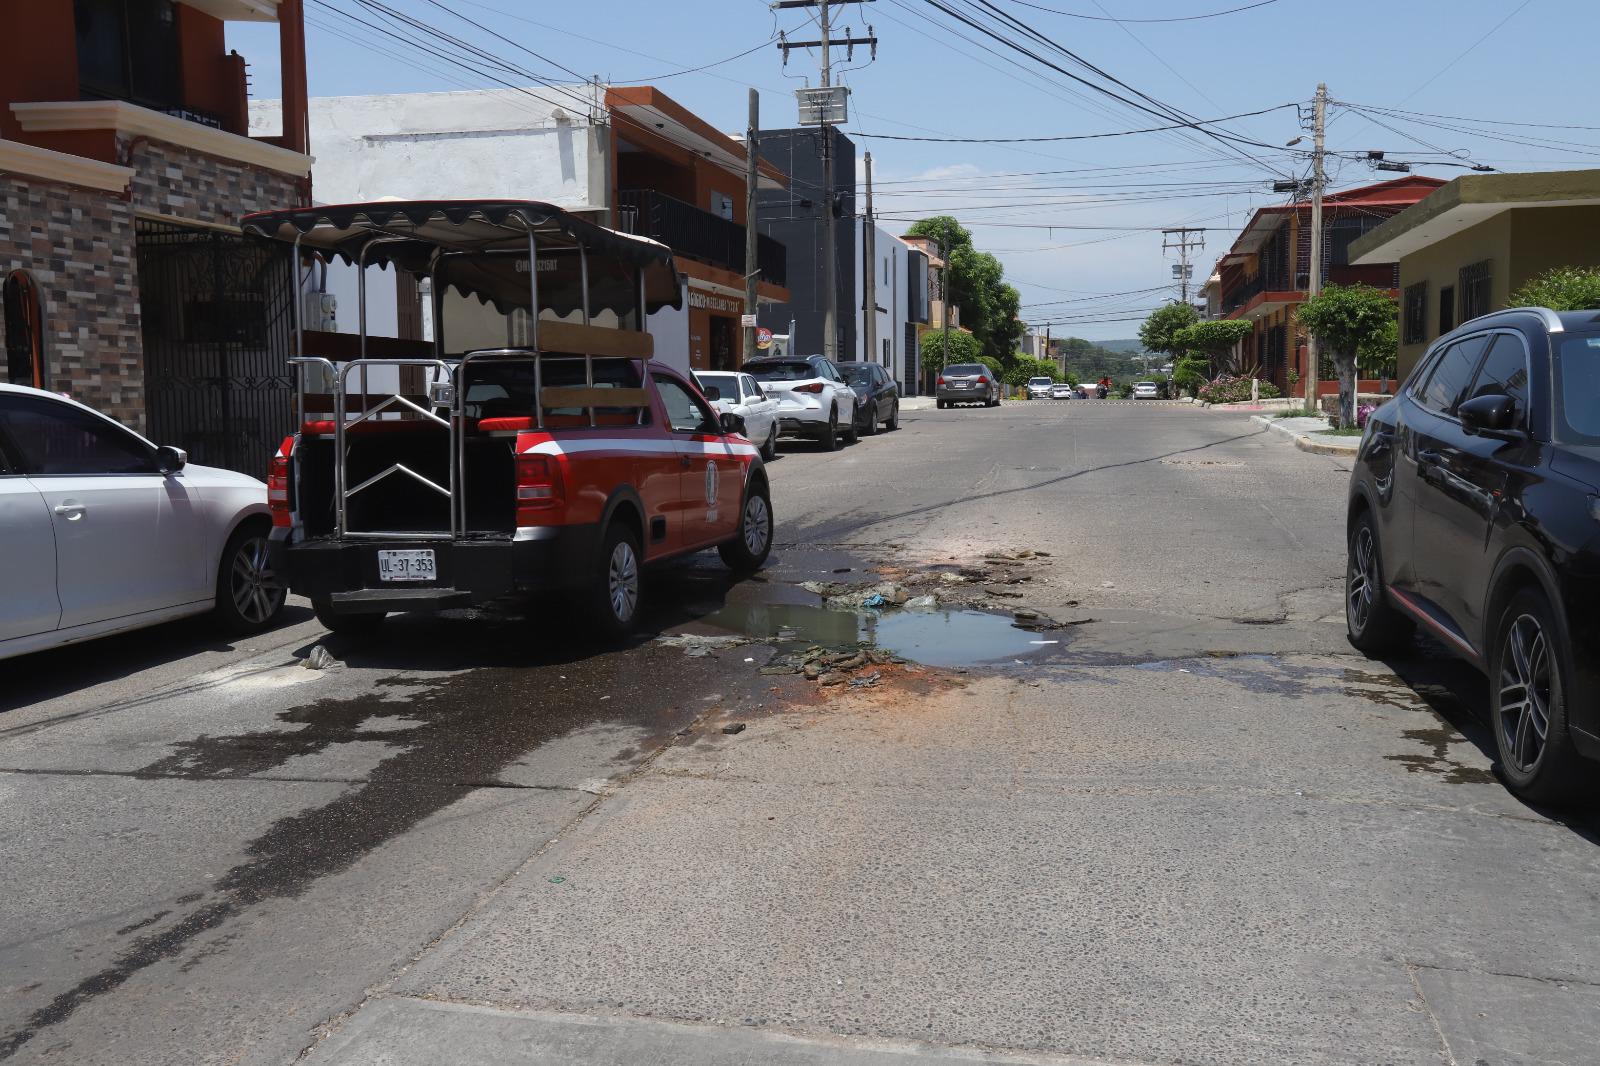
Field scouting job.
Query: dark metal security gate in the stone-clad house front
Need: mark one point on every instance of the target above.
(218, 326)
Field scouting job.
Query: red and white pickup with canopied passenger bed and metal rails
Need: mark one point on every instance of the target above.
(447, 479)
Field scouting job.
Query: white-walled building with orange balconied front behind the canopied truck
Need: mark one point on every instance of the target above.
(625, 158)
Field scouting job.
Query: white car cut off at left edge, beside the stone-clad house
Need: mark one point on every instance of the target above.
(103, 532)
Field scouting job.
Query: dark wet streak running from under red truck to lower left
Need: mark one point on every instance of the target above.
(457, 734)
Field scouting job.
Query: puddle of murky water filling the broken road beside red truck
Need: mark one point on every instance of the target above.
(942, 638)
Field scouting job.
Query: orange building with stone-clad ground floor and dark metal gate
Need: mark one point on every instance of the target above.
(126, 164)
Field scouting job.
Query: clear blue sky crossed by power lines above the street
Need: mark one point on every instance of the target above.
(1070, 238)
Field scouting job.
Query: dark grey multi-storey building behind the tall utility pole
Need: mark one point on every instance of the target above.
(796, 217)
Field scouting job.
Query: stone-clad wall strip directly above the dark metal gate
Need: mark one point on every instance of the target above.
(177, 182)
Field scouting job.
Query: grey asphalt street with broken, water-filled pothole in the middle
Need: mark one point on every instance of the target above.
(1177, 822)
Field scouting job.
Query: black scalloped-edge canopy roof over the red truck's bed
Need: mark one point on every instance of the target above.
(409, 233)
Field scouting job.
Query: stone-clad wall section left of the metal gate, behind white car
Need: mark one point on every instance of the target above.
(78, 244)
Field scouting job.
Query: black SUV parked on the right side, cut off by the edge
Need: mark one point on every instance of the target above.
(1476, 513)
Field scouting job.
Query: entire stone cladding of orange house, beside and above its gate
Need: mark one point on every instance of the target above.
(79, 247)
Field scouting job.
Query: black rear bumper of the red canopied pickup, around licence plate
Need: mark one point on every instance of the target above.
(343, 575)
